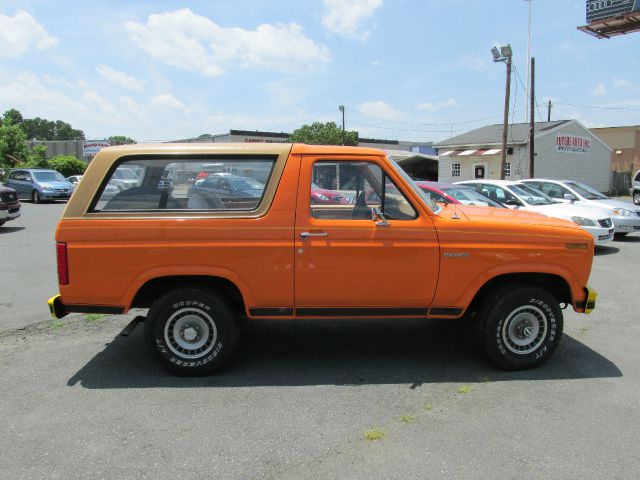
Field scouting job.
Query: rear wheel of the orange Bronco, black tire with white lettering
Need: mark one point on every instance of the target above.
(191, 331)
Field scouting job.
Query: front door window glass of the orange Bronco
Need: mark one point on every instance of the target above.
(348, 190)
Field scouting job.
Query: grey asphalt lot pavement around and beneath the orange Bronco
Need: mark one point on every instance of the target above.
(79, 401)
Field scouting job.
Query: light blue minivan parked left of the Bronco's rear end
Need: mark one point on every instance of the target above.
(39, 185)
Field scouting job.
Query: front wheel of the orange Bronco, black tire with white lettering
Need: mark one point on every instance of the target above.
(520, 326)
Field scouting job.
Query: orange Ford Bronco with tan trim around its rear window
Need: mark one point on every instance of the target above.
(299, 231)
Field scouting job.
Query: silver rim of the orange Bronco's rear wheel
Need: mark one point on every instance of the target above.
(190, 333)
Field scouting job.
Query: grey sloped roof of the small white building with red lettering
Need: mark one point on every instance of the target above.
(491, 135)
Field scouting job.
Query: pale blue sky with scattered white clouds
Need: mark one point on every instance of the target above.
(418, 70)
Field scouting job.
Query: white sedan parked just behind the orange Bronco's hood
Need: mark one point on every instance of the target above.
(519, 196)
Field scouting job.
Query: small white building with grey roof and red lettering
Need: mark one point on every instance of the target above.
(564, 149)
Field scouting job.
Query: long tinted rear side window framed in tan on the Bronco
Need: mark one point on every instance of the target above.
(225, 184)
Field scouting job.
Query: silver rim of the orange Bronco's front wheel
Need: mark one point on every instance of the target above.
(525, 329)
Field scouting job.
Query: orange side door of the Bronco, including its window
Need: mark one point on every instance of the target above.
(347, 264)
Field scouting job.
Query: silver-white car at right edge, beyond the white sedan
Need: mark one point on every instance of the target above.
(626, 217)
